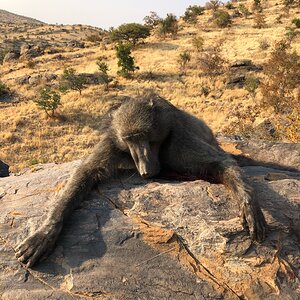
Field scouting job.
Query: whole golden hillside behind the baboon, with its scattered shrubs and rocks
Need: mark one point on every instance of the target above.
(192, 61)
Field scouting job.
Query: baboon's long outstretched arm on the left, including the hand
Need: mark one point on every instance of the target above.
(97, 167)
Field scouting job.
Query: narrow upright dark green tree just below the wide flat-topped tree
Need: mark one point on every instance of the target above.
(125, 60)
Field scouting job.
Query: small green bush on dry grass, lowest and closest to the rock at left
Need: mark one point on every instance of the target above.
(48, 100)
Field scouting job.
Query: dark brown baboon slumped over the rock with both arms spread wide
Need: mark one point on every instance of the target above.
(155, 137)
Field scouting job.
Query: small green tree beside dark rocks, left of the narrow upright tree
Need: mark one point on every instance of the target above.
(72, 81)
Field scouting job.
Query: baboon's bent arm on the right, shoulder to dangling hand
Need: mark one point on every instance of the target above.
(196, 157)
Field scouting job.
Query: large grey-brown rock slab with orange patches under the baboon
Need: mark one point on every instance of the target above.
(136, 239)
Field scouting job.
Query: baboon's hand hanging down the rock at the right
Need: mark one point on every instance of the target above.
(254, 220)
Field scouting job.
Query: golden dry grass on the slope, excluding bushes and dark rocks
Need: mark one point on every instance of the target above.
(28, 136)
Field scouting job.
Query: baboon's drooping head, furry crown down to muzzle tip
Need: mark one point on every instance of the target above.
(136, 126)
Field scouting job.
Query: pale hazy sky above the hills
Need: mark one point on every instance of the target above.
(103, 14)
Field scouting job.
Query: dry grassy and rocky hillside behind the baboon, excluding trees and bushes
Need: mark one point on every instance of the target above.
(42, 52)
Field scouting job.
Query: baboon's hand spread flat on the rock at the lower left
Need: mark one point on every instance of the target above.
(39, 244)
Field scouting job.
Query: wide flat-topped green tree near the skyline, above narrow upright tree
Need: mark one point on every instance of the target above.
(131, 32)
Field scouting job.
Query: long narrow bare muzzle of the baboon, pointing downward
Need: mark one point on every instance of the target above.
(145, 158)
